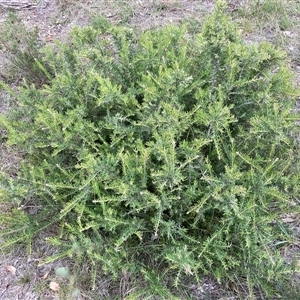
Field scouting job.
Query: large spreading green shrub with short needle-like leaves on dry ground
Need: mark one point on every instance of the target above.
(163, 155)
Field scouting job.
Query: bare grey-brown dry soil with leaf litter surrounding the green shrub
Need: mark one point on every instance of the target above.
(21, 276)
